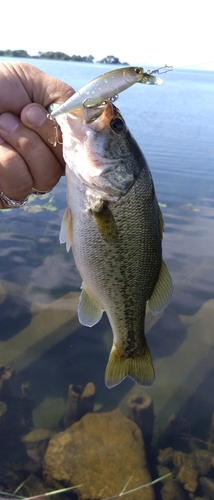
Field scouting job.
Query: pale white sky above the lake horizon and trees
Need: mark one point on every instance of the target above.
(149, 33)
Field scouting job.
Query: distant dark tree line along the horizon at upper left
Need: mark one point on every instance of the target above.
(60, 56)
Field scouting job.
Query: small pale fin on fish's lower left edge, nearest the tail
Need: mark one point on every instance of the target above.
(89, 311)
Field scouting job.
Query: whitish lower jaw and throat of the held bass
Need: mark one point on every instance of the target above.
(90, 133)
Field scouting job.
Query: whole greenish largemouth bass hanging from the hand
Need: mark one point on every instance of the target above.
(114, 225)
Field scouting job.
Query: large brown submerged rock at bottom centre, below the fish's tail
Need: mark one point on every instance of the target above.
(101, 452)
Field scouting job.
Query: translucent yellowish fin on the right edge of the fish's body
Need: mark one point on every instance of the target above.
(162, 292)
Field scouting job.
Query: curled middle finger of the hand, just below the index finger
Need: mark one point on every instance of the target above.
(42, 164)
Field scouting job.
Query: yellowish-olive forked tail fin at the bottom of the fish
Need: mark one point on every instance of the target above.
(139, 367)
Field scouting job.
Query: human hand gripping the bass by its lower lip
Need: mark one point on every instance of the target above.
(27, 158)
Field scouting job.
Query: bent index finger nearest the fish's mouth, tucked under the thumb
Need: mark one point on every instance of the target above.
(35, 117)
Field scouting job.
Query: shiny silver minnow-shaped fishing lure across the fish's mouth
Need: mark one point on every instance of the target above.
(104, 87)
